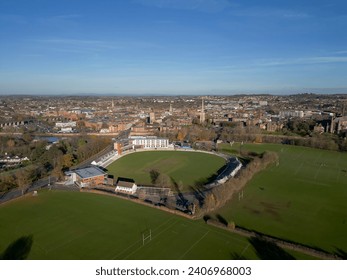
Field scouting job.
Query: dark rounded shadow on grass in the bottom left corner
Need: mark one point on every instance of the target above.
(19, 249)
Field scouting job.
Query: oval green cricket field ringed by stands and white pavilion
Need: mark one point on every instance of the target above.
(185, 167)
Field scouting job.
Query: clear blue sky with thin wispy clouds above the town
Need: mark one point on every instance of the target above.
(172, 47)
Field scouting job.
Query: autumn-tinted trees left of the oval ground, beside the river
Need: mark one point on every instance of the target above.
(45, 159)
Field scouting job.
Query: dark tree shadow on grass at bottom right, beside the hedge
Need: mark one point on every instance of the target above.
(266, 250)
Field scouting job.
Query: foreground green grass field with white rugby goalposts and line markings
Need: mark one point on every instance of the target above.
(74, 225)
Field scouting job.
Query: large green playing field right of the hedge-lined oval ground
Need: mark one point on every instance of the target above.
(303, 198)
